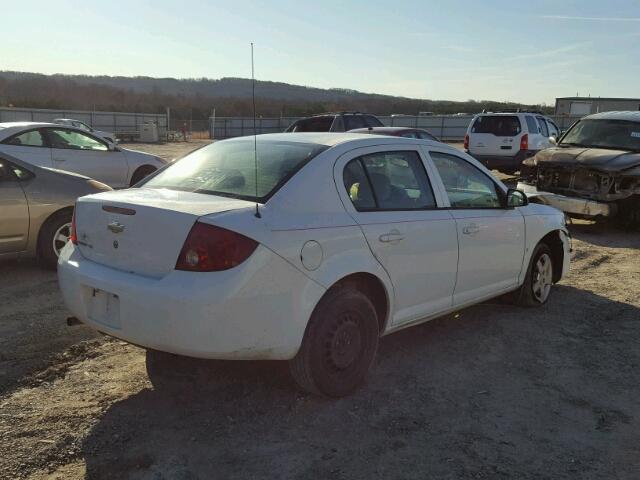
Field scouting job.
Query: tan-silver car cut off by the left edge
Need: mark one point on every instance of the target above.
(36, 207)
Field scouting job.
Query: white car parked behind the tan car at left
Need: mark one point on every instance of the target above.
(74, 150)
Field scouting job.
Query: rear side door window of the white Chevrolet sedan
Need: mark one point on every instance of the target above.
(391, 181)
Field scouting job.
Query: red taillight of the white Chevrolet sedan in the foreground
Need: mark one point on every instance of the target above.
(212, 249)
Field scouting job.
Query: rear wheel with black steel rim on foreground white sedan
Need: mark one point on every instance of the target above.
(339, 345)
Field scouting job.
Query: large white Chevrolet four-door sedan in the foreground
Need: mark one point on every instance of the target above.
(345, 238)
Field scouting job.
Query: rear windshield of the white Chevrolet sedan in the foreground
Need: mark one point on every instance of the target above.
(227, 168)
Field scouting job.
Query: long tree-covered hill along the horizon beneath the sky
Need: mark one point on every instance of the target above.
(197, 97)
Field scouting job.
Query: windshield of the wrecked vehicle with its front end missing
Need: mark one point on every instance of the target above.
(614, 134)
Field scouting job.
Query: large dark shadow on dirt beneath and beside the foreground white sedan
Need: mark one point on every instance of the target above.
(495, 391)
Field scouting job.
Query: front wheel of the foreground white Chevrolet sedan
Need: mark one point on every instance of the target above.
(528, 295)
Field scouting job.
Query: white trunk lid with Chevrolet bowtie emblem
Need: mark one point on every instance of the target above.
(141, 230)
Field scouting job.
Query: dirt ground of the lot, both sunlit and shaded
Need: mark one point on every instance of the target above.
(492, 392)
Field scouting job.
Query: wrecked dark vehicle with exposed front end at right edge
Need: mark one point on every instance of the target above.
(594, 169)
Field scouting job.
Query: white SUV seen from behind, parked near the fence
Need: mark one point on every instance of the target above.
(501, 141)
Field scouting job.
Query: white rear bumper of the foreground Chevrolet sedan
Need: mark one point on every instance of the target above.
(258, 310)
